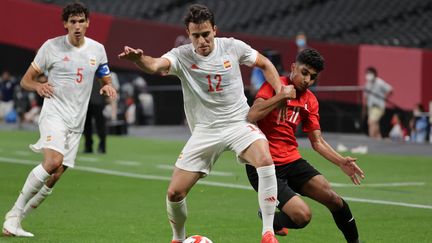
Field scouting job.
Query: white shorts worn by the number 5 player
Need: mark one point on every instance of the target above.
(56, 136)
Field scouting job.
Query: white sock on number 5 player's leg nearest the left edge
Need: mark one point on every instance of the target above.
(35, 181)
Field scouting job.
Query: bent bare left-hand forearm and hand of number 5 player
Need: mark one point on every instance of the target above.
(29, 82)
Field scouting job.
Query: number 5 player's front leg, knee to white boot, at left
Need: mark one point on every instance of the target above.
(32, 185)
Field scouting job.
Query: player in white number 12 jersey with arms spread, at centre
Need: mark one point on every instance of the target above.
(216, 109)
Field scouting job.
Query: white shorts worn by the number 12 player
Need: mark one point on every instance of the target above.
(206, 145)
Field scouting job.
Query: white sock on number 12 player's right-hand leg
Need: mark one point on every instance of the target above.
(267, 195)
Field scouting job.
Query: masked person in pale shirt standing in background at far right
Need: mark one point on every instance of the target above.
(376, 93)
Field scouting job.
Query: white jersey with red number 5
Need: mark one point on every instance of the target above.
(71, 71)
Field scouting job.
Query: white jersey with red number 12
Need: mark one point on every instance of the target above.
(212, 85)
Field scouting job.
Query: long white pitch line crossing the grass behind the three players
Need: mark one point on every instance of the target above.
(209, 183)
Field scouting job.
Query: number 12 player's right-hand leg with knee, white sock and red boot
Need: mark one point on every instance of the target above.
(258, 155)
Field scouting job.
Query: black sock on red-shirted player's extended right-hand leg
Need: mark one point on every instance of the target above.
(346, 222)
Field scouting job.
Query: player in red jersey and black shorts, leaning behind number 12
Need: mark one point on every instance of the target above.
(295, 174)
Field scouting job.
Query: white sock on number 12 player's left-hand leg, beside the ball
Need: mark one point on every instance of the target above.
(177, 214)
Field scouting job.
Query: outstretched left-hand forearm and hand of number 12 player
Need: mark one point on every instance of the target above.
(148, 64)
